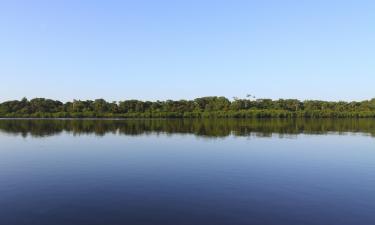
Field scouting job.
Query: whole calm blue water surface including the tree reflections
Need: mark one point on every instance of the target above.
(183, 172)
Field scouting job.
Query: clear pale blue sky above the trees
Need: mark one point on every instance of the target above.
(184, 49)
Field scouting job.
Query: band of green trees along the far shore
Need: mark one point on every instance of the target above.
(205, 107)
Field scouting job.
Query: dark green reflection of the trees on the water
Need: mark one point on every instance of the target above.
(207, 128)
